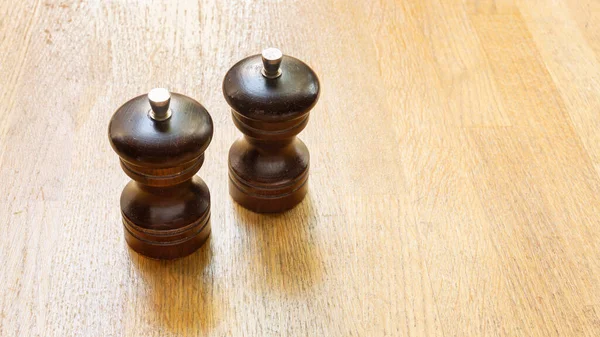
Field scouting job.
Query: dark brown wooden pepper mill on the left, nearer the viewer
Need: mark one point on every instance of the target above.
(160, 139)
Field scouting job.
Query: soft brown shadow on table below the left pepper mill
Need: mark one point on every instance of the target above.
(177, 294)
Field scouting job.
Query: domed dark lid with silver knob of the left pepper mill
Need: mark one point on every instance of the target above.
(160, 129)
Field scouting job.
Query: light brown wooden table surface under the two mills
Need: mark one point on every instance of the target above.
(455, 170)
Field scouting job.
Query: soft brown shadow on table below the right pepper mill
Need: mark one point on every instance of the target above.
(283, 252)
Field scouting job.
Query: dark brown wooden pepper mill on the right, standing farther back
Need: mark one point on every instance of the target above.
(270, 97)
